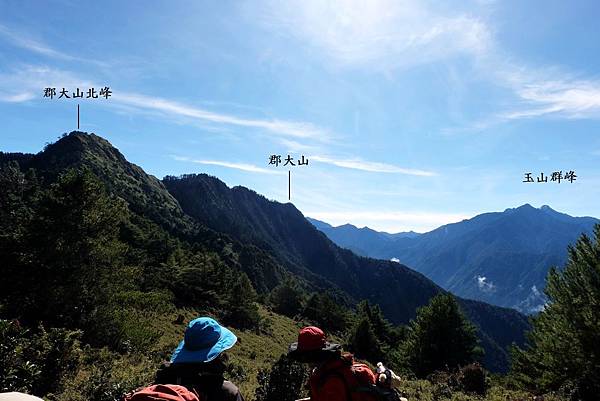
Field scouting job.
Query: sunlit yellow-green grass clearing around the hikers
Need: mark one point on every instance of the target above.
(253, 352)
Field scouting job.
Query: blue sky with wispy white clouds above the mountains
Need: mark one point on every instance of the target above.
(412, 114)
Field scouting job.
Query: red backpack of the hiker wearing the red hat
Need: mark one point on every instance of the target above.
(331, 382)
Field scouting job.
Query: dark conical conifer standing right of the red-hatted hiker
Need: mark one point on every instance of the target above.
(440, 337)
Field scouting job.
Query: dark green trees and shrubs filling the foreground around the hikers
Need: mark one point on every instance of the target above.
(94, 295)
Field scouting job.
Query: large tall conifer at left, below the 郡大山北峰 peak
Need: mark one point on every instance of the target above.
(75, 262)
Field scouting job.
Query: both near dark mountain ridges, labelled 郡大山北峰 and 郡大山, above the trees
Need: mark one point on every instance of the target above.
(270, 240)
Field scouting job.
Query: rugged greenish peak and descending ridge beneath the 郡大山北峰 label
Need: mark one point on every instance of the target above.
(146, 197)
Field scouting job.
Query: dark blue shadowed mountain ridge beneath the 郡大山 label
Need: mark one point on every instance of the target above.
(296, 243)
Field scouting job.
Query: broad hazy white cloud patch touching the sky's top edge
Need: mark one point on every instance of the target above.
(377, 33)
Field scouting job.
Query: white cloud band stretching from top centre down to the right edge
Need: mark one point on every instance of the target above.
(384, 34)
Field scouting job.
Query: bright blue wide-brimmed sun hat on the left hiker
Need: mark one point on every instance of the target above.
(203, 341)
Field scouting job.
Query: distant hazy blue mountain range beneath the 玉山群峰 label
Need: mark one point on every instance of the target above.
(501, 258)
